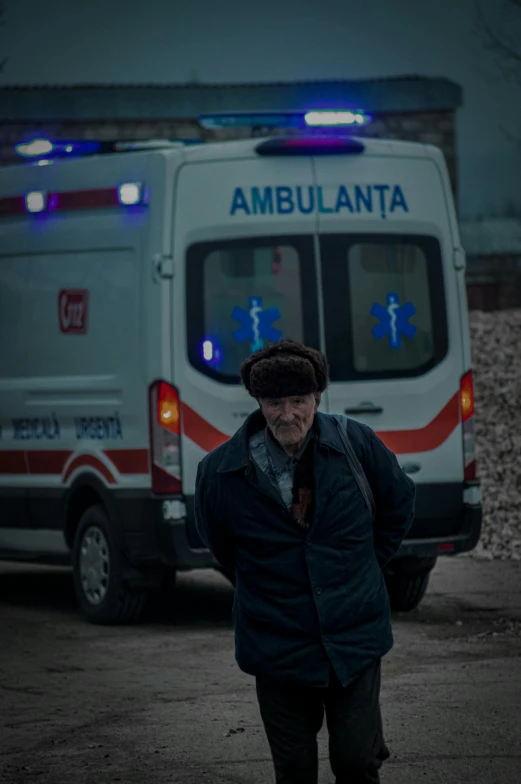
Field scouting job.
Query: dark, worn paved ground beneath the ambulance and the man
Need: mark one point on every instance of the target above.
(165, 703)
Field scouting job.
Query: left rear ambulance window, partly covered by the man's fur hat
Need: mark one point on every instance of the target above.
(243, 295)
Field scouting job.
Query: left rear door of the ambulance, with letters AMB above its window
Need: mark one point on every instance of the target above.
(245, 277)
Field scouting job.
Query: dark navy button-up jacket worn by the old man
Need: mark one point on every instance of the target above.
(306, 598)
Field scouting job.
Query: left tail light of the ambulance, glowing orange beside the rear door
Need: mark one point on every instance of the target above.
(165, 438)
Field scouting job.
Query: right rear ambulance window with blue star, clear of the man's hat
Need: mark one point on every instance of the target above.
(384, 305)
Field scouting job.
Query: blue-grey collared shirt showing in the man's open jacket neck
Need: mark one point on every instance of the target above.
(278, 466)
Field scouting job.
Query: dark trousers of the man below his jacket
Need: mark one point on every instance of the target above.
(293, 715)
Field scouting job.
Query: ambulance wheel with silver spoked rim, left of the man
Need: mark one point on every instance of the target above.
(98, 574)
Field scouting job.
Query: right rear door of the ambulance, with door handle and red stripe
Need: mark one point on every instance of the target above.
(391, 319)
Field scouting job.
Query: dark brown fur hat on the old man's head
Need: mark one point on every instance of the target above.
(284, 369)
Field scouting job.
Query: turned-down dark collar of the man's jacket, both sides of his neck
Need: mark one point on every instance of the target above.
(237, 453)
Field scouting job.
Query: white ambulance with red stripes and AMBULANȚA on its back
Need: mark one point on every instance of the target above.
(133, 284)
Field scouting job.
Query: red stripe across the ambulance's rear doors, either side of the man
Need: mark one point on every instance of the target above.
(401, 442)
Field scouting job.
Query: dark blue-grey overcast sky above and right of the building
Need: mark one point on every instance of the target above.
(122, 41)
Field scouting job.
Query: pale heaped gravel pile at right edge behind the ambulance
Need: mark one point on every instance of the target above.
(496, 357)
